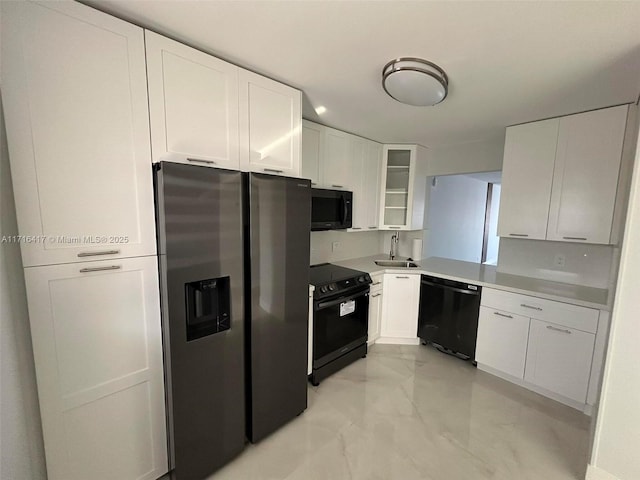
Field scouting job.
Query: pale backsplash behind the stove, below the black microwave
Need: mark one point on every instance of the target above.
(349, 245)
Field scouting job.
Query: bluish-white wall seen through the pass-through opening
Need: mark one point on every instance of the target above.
(456, 218)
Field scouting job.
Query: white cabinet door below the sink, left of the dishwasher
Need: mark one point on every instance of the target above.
(400, 309)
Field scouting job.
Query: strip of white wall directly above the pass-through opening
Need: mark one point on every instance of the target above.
(482, 156)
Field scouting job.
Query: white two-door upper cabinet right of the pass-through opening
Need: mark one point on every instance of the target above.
(561, 178)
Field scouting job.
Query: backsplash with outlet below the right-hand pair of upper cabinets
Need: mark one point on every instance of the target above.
(585, 264)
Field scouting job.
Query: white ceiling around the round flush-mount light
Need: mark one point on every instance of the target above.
(508, 62)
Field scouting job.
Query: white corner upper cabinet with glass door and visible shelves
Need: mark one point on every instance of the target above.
(403, 187)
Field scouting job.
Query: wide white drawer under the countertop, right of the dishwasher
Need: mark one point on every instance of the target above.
(565, 314)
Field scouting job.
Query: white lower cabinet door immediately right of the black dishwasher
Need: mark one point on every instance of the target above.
(502, 341)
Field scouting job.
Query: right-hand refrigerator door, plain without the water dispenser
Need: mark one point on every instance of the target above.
(277, 234)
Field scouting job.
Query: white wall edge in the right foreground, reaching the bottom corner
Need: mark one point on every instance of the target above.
(617, 438)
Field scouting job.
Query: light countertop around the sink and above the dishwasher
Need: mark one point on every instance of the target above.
(486, 276)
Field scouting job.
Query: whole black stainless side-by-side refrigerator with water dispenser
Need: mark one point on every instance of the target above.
(234, 262)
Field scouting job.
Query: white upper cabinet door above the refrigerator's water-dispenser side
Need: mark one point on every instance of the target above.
(193, 105)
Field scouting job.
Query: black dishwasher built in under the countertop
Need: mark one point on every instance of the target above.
(448, 315)
